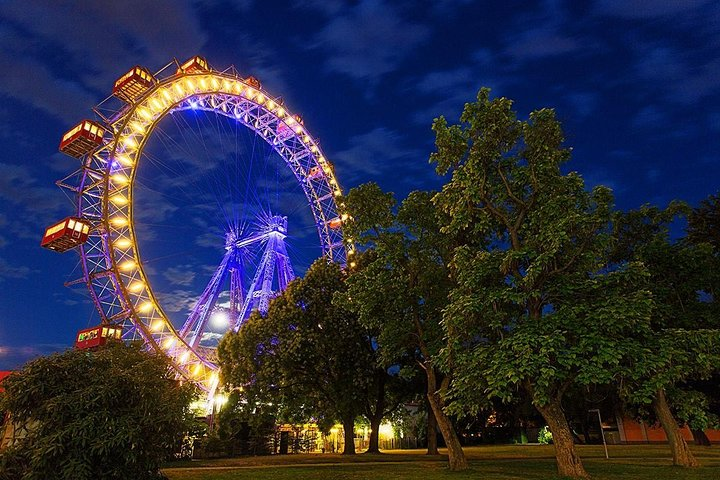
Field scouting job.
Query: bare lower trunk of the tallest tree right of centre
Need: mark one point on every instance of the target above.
(567, 459)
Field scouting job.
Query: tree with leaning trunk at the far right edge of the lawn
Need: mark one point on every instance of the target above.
(683, 344)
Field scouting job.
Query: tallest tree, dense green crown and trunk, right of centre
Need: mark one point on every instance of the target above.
(535, 308)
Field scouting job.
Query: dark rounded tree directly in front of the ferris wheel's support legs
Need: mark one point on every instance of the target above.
(309, 357)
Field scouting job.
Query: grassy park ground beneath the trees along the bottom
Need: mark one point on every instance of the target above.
(497, 462)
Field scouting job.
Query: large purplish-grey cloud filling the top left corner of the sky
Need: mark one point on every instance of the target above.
(103, 38)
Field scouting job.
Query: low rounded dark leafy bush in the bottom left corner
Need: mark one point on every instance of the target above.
(114, 413)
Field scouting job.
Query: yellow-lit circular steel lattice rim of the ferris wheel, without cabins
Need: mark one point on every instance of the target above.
(110, 259)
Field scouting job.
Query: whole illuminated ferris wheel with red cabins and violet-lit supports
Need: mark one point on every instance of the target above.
(106, 227)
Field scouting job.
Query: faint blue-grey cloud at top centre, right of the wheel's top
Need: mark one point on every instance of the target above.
(369, 40)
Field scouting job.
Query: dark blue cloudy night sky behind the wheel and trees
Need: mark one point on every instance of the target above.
(636, 84)
